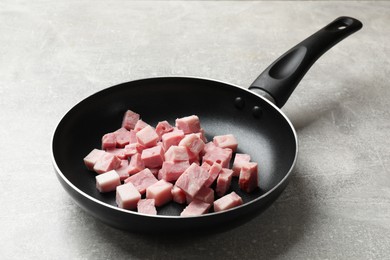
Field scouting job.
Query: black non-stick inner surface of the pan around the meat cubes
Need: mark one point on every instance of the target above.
(267, 137)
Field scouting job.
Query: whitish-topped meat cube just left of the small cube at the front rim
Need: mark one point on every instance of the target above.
(127, 196)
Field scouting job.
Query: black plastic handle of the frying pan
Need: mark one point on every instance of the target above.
(279, 80)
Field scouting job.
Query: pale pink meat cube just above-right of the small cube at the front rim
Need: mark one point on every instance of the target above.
(160, 192)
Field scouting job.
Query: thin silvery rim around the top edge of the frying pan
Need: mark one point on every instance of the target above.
(104, 204)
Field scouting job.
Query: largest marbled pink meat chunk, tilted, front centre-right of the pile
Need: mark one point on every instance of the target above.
(192, 180)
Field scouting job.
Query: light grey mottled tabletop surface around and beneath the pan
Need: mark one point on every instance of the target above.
(55, 53)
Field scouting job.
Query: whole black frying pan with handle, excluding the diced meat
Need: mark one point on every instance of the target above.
(252, 115)
